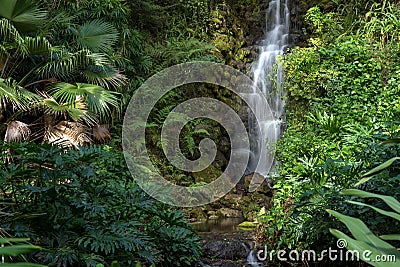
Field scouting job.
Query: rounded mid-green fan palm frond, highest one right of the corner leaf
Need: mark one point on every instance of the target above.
(96, 35)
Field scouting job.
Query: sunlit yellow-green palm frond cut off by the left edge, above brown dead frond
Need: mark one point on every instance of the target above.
(14, 96)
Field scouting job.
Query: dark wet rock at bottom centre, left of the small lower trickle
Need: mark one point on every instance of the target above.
(226, 249)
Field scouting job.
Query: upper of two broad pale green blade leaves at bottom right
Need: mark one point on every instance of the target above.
(361, 232)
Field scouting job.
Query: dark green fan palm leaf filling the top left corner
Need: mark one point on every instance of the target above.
(25, 15)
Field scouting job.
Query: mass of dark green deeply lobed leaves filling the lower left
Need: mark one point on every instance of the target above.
(85, 209)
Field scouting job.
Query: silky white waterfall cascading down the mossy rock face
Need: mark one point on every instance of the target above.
(268, 77)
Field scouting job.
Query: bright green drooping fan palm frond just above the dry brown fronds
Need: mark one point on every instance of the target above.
(98, 100)
